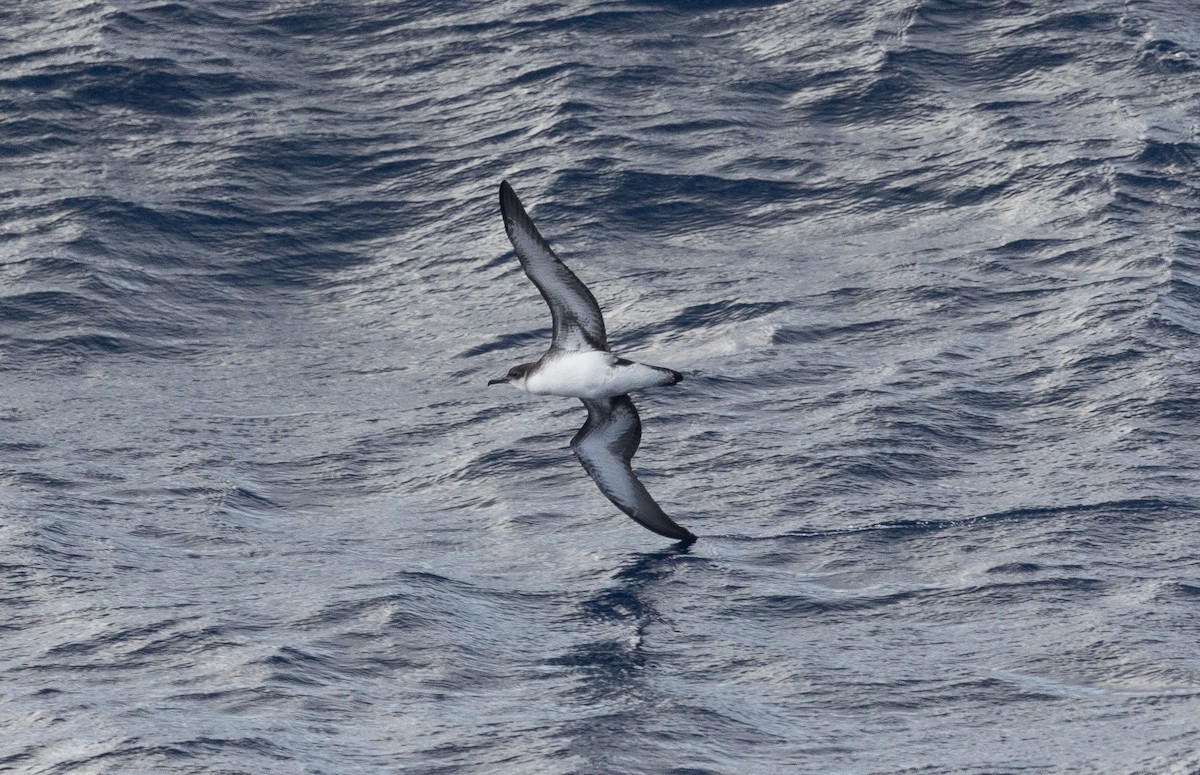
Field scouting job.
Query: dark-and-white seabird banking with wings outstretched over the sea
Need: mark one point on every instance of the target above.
(580, 365)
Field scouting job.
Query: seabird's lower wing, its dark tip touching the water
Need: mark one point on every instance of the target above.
(605, 446)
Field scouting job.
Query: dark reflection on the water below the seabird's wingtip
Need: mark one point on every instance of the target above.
(611, 663)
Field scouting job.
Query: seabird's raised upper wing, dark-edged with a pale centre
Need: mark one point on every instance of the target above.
(579, 325)
